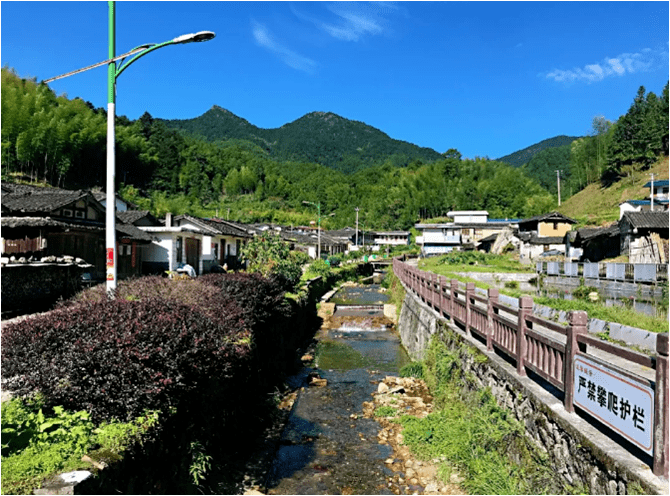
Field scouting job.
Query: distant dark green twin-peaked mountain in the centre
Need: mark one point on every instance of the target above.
(321, 137)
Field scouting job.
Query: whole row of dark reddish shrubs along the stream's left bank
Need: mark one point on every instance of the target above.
(152, 347)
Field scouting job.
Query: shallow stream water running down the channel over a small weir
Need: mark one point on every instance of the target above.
(327, 447)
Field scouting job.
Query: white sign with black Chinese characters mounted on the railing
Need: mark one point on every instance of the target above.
(625, 405)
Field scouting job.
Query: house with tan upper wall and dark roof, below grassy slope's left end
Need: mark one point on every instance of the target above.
(543, 233)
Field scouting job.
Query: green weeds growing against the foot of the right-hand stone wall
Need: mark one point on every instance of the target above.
(473, 434)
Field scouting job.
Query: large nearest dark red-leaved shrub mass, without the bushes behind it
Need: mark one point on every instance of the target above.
(116, 358)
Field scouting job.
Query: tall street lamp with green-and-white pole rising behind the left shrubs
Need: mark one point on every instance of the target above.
(113, 72)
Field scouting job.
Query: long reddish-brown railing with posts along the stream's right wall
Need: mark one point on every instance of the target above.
(528, 339)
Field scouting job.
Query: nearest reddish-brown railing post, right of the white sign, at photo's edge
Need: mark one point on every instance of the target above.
(661, 464)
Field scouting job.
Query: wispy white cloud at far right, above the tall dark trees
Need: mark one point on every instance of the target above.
(626, 63)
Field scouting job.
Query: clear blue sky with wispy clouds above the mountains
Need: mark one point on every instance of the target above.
(487, 78)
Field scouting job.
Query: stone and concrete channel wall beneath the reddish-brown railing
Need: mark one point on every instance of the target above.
(579, 450)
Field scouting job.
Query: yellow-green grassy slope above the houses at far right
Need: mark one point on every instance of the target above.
(598, 205)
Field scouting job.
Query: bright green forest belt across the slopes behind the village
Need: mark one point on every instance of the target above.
(59, 141)
